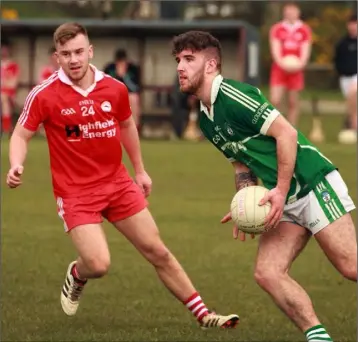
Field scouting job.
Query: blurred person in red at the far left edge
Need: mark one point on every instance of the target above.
(10, 72)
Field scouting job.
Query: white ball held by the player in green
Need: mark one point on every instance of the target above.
(246, 212)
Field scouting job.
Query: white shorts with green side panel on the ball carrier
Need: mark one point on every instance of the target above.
(326, 203)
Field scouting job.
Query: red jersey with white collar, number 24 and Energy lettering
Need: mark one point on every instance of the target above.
(82, 130)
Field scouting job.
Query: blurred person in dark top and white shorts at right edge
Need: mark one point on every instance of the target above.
(345, 62)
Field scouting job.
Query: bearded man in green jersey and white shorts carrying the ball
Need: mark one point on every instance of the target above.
(307, 194)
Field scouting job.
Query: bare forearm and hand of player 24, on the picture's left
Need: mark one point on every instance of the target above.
(17, 154)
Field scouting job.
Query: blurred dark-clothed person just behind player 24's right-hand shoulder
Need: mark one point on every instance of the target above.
(128, 73)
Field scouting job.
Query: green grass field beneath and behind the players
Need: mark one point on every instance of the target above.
(193, 185)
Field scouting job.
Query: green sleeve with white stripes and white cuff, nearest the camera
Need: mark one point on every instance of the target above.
(253, 111)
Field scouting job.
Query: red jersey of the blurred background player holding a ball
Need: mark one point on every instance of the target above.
(291, 36)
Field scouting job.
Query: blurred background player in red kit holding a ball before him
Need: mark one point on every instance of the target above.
(289, 37)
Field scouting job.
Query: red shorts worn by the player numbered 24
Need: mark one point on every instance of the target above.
(114, 201)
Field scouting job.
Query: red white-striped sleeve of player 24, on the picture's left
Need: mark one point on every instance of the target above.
(31, 116)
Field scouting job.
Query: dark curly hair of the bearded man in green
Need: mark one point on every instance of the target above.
(197, 41)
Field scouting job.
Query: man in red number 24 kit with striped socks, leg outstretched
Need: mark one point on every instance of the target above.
(87, 117)
